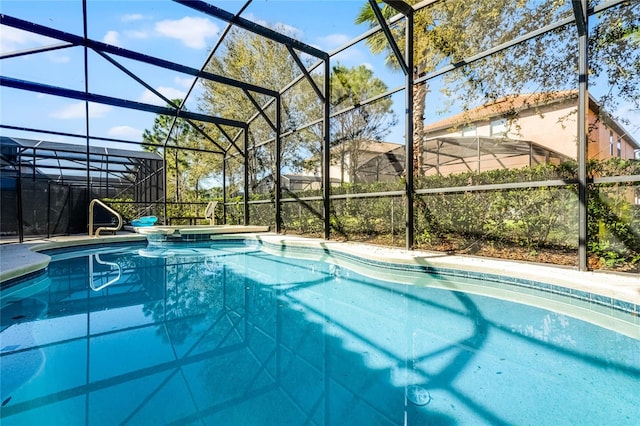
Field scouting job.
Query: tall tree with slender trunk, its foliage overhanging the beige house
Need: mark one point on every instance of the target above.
(449, 31)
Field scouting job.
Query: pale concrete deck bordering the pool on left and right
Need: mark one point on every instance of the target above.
(21, 259)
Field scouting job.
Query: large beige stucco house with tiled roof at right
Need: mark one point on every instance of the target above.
(521, 130)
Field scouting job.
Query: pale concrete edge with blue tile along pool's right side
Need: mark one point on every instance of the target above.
(614, 290)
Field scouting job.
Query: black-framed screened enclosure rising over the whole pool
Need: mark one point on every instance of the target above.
(494, 128)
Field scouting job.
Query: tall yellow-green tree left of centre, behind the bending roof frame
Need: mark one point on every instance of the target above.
(257, 60)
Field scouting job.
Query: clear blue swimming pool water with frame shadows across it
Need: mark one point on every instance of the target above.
(232, 335)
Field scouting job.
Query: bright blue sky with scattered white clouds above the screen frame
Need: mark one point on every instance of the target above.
(169, 31)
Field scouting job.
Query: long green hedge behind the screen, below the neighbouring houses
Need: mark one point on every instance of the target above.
(529, 217)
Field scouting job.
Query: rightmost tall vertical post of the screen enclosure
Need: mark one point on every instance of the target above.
(580, 11)
